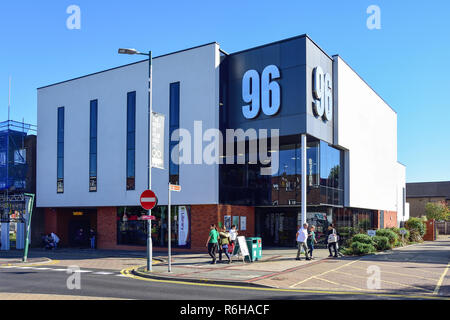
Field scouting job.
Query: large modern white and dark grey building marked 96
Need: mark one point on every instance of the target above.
(326, 146)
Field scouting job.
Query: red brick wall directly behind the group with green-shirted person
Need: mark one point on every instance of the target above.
(202, 216)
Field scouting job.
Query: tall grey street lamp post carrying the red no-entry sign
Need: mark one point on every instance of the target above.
(150, 114)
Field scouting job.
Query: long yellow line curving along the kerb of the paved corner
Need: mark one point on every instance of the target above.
(126, 272)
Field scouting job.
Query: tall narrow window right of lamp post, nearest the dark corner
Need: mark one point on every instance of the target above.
(174, 168)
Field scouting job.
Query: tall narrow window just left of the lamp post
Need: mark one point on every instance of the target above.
(131, 140)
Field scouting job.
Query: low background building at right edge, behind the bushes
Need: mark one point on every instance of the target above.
(418, 194)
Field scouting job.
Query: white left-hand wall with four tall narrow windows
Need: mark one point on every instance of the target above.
(196, 69)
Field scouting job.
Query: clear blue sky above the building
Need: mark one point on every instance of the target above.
(407, 62)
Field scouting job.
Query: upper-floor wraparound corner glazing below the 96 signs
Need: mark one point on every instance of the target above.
(243, 184)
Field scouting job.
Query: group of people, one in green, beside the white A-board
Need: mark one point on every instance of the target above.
(222, 241)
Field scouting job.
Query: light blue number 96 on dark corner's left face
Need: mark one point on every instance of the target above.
(261, 93)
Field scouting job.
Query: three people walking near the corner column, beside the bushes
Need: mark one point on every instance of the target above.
(306, 238)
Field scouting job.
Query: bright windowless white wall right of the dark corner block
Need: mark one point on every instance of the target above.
(367, 127)
